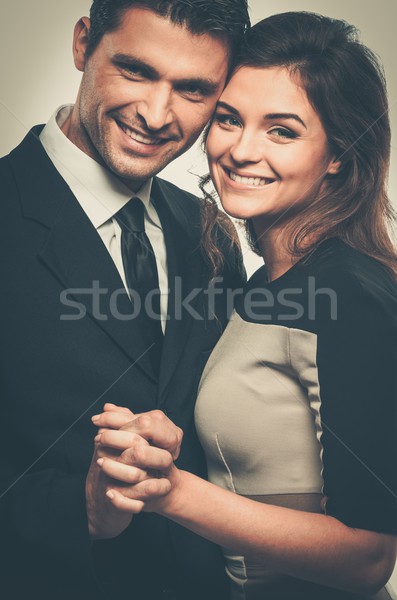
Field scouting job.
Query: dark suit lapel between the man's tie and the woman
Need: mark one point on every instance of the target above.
(180, 218)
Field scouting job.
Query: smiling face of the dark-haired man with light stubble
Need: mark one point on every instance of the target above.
(147, 91)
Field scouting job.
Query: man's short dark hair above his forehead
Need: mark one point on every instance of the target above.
(226, 19)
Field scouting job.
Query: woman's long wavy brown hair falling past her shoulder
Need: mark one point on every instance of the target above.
(345, 84)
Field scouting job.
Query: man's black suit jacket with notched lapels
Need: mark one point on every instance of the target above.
(64, 353)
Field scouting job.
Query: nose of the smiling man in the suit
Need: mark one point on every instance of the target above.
(156, 107)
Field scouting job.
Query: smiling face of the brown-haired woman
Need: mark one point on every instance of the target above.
(267, 148)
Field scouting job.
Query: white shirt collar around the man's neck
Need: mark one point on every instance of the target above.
(100, 192)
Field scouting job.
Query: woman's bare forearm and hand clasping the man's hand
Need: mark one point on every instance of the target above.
(310, 546)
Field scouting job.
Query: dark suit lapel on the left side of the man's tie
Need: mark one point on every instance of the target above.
(74, 252)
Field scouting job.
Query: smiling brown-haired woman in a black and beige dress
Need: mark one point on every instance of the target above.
(296, 406)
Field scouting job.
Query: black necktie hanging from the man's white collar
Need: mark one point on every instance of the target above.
(141, 275)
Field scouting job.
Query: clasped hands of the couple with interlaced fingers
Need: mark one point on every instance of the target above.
(132, 468)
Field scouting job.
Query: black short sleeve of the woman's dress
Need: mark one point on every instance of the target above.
(357, 368)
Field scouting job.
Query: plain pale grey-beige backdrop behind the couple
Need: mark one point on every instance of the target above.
(37, 72)
